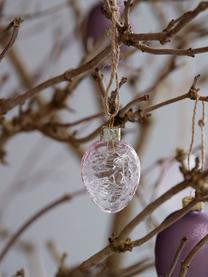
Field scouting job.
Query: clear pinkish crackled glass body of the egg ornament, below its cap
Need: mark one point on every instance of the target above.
(111, 174)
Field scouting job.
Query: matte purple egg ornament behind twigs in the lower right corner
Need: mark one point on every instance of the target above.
(193, 226)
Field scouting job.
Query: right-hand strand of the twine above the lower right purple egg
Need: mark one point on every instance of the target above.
(202, 123)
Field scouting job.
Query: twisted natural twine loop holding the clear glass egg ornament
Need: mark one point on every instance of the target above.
(115, 56)
